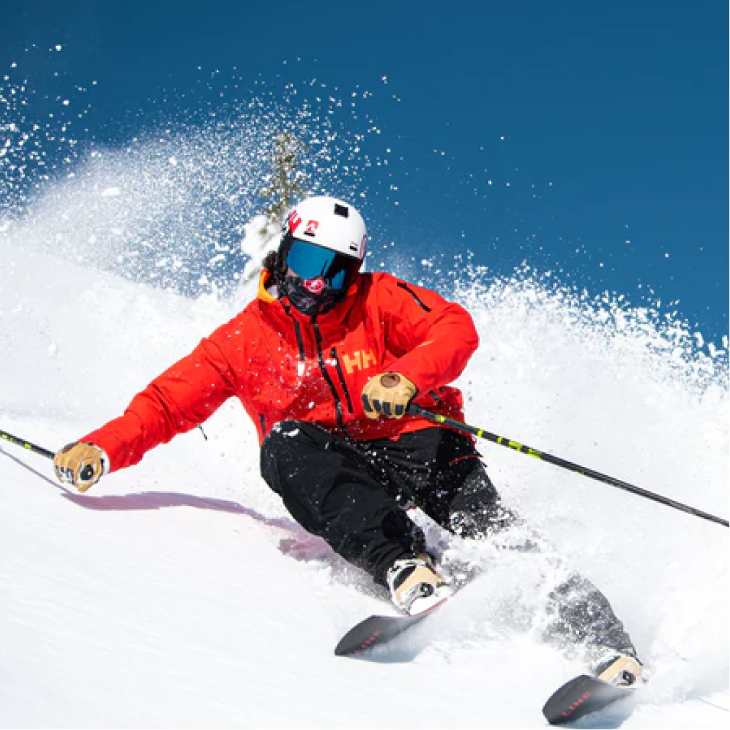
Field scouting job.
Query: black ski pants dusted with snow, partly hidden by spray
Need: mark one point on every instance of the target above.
(354, 494)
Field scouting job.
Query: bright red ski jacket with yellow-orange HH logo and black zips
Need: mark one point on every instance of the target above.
(282, 365)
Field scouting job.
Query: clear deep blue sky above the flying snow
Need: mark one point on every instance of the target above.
(590, 138)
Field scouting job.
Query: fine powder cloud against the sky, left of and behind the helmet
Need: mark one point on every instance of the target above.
(169, 205)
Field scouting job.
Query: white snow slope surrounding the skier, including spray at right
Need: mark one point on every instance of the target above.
(179, 594)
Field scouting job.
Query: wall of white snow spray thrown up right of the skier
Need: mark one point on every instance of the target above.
(629, 392)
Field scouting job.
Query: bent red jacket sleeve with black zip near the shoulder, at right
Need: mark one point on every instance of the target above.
(437, 337)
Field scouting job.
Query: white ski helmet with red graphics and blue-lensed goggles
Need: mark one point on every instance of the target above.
(324, 238)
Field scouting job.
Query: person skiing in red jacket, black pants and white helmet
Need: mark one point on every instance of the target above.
(326, 361)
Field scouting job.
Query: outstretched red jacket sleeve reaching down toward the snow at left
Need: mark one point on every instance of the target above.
(177, 401)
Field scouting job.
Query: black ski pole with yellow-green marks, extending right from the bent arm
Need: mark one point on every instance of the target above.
(416, 410)
